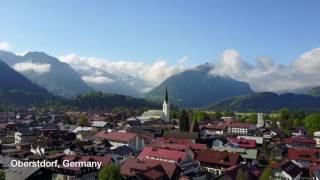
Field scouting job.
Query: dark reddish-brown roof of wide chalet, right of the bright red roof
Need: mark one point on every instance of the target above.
(219, 157)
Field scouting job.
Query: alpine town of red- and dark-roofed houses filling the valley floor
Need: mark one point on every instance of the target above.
(158, 144)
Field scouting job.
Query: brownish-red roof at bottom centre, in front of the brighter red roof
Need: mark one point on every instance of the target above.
(136, 164)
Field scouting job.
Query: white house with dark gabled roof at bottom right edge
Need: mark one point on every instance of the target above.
(287, 170)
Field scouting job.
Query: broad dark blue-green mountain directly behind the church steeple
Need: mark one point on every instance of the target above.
(196, 88)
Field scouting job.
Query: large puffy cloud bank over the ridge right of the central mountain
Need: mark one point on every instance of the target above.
(267, 75)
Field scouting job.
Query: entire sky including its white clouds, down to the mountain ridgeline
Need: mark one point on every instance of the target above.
(249, 40)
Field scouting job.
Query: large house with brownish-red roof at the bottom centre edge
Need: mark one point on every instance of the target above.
(153, 169)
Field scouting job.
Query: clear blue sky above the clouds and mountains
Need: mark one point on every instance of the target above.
(145, 30)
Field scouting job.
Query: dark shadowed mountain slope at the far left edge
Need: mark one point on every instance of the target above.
(15, 89)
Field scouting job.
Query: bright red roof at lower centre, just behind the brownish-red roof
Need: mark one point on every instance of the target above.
(174, 155)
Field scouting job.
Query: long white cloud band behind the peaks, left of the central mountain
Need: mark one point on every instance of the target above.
(153, 73)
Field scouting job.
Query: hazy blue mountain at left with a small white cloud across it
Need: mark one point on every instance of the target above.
(48, 72)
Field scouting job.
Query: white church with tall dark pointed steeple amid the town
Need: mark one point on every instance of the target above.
(163, 114)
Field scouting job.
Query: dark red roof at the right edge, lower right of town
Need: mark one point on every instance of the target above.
(303, 154)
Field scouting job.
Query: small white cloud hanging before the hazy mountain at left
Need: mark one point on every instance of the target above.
(30, 66)
